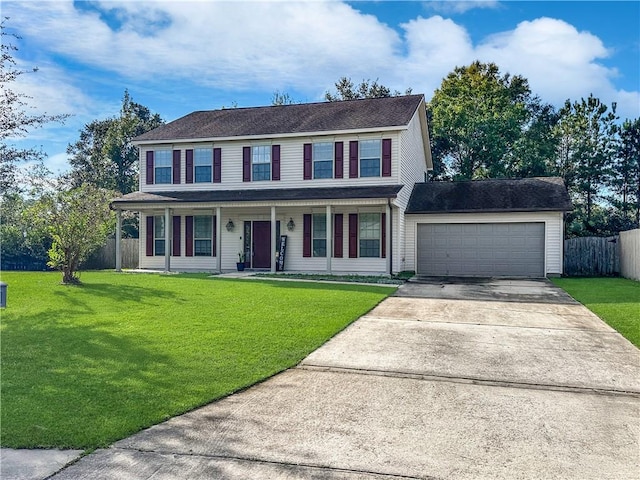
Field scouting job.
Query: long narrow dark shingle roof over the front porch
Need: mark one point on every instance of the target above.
(276, 194)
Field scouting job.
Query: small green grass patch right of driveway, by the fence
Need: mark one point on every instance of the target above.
(615, 300)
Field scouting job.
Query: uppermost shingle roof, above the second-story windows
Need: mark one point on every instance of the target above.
(284, 119)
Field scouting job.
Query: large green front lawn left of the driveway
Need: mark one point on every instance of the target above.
(84, 366)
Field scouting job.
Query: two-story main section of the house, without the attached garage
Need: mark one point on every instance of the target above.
(335, 178)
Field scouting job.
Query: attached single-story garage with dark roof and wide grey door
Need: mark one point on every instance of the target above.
(487, 228)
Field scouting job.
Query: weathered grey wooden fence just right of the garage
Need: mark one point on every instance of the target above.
(592, 256)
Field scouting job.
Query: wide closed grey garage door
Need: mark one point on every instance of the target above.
(481, 249)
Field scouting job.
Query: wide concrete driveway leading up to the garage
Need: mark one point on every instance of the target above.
(494, 379)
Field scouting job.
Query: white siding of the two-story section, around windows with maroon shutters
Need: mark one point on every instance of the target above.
(408, 166)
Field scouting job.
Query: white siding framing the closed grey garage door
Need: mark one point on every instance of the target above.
(554, 232)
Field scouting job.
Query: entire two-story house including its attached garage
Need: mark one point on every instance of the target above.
(331, 187)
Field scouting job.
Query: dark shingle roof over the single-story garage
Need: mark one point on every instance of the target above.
(504, 195)
